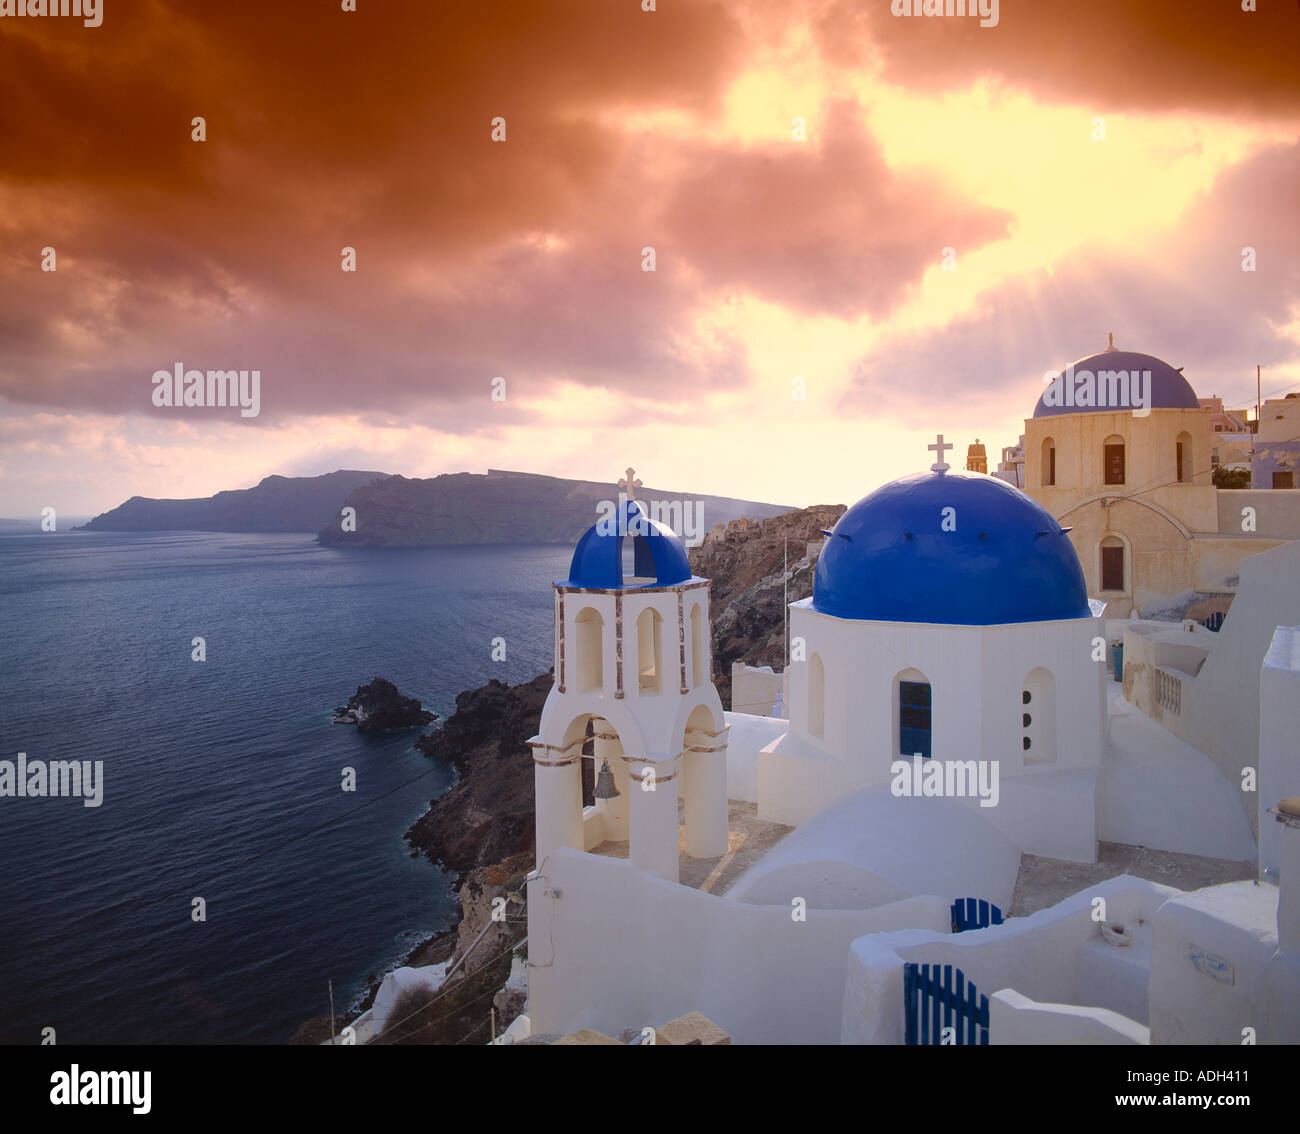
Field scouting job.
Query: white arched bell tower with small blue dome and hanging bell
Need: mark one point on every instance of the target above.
(634, 694)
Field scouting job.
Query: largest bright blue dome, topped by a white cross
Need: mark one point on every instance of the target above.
(889, 559)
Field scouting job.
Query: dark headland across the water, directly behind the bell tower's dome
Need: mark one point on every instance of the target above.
(506, 508)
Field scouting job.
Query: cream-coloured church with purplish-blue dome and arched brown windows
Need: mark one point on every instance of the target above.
(1120, 451)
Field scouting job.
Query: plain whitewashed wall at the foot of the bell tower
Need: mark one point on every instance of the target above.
(619, 949)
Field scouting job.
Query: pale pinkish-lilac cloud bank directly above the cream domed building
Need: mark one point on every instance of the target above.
(1188, 302)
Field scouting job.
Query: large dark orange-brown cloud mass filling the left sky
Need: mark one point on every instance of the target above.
(475, 258)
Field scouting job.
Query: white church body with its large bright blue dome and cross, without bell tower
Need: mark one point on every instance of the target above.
(950, 624)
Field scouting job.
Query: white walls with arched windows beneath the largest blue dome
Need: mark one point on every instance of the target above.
(977, 677)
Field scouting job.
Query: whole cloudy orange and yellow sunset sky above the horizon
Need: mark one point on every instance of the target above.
(866, 230)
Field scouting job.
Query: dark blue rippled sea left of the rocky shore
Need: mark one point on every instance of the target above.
(223, 778)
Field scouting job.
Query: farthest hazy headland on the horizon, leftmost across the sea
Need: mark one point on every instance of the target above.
(276, 504)
